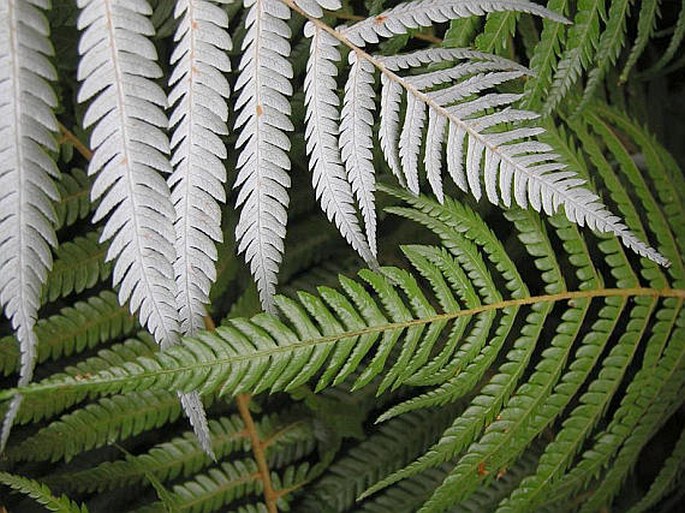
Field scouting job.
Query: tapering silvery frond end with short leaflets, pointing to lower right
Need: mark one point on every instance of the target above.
(490, 150)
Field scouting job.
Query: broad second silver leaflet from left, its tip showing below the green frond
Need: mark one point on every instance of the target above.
(130, 150)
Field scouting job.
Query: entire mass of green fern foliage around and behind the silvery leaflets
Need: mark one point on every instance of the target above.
(497, 360)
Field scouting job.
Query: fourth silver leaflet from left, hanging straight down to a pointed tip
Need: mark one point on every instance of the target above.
(264, 85)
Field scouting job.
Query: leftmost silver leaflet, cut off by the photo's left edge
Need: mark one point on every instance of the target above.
(27, 218)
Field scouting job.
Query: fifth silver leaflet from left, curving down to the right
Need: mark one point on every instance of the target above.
(331, 180)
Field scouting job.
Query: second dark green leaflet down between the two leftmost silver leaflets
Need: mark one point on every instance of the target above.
(79, 265)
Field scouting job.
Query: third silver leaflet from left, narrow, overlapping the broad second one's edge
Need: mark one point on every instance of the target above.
(199, 92)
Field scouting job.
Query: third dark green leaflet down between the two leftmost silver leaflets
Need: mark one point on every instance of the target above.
(74, 330)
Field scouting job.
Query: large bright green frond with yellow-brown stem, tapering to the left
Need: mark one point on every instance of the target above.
(466, 325)
